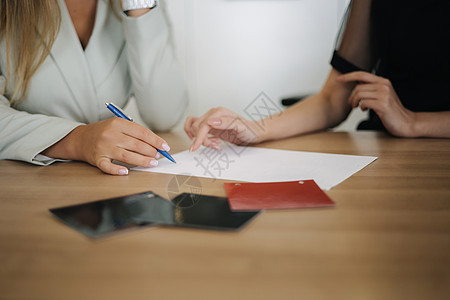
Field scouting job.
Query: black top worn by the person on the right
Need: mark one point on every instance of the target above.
(409, 44)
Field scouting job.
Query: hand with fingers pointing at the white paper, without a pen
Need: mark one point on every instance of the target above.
(221, 123)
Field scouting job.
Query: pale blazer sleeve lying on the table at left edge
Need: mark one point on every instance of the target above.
(23, 135)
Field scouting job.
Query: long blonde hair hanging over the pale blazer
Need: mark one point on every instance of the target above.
(29, 28)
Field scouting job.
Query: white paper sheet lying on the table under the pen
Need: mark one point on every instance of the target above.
(252, 164)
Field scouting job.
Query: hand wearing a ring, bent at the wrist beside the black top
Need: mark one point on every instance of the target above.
(376, 93)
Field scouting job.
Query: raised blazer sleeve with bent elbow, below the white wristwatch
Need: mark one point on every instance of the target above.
(157, 82)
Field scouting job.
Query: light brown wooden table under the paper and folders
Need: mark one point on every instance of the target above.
(387, 238)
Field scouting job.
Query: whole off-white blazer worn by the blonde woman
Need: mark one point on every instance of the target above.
(130, 56)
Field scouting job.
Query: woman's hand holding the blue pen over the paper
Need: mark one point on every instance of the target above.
(113, 139)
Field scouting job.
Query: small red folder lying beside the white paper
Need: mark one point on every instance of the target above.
(246, 196)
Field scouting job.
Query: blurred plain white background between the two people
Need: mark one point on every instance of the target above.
(231, 51)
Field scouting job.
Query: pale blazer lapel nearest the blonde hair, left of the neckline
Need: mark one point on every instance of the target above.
(69, 56)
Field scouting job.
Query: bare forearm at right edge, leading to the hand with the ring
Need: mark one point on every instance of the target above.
(431, 124)
